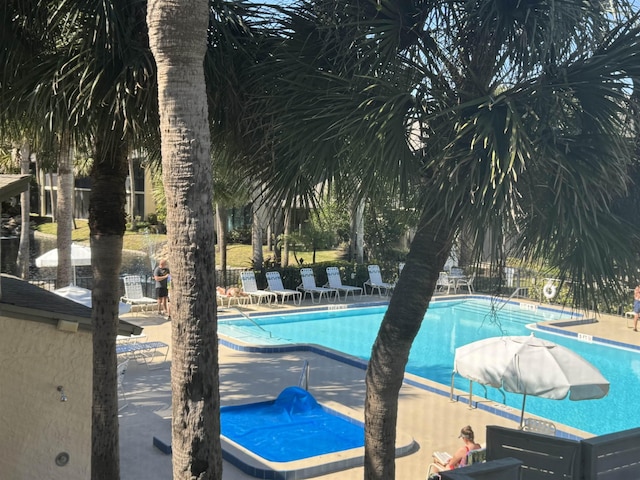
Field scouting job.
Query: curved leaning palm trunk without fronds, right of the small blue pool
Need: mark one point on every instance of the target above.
(400, 325)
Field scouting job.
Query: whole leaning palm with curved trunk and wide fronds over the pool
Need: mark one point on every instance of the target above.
(506, 117)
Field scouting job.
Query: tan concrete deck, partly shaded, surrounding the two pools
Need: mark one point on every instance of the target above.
(430, 418)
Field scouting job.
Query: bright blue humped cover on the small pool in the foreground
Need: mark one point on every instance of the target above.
(292, 427)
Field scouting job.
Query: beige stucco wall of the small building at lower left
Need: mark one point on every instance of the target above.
(35, 426)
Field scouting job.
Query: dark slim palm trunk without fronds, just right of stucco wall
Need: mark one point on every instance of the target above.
(107, 223)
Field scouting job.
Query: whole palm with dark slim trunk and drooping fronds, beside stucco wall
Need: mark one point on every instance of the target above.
(85, 68)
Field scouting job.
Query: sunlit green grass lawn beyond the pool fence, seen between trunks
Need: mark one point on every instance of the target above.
(238, 255)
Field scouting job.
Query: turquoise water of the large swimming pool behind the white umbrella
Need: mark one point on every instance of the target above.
(450, 324)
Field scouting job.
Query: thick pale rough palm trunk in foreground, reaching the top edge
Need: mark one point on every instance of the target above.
(177, 36)
